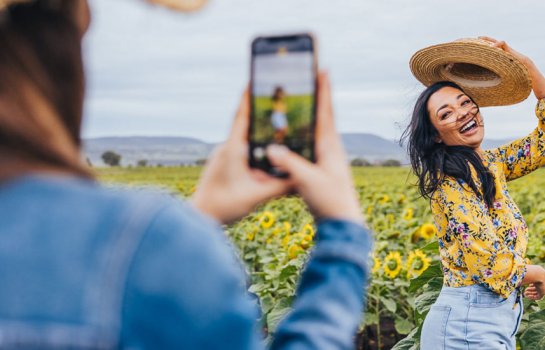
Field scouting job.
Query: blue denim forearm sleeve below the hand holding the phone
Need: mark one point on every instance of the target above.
(331, 294)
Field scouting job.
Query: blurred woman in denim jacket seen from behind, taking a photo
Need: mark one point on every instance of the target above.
(86, 268)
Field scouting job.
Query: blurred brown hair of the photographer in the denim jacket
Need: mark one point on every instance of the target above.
(41, 88)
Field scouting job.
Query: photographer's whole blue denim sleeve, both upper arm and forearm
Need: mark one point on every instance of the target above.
(186, 290)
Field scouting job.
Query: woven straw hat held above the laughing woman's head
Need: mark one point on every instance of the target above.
(491, 76)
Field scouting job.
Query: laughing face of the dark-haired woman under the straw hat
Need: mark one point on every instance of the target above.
(456, 118)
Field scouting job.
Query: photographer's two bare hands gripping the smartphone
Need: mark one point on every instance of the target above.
(229, 189)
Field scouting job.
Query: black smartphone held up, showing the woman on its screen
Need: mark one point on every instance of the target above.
(283, 81)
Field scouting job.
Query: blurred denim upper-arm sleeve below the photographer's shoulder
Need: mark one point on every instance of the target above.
(186, 289)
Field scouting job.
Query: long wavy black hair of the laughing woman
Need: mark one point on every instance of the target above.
(432, 161)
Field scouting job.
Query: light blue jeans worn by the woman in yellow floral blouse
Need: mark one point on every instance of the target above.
(472, 317)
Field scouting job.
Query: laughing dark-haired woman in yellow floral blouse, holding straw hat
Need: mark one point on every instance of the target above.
(482, 235)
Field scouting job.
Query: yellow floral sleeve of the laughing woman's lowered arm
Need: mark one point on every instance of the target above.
(487, 257)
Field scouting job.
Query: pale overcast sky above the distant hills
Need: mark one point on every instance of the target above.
(153, 72)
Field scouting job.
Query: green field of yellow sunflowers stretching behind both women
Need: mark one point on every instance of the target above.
(274, 242)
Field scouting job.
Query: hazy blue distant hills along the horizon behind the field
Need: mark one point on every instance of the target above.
(169, 151)
